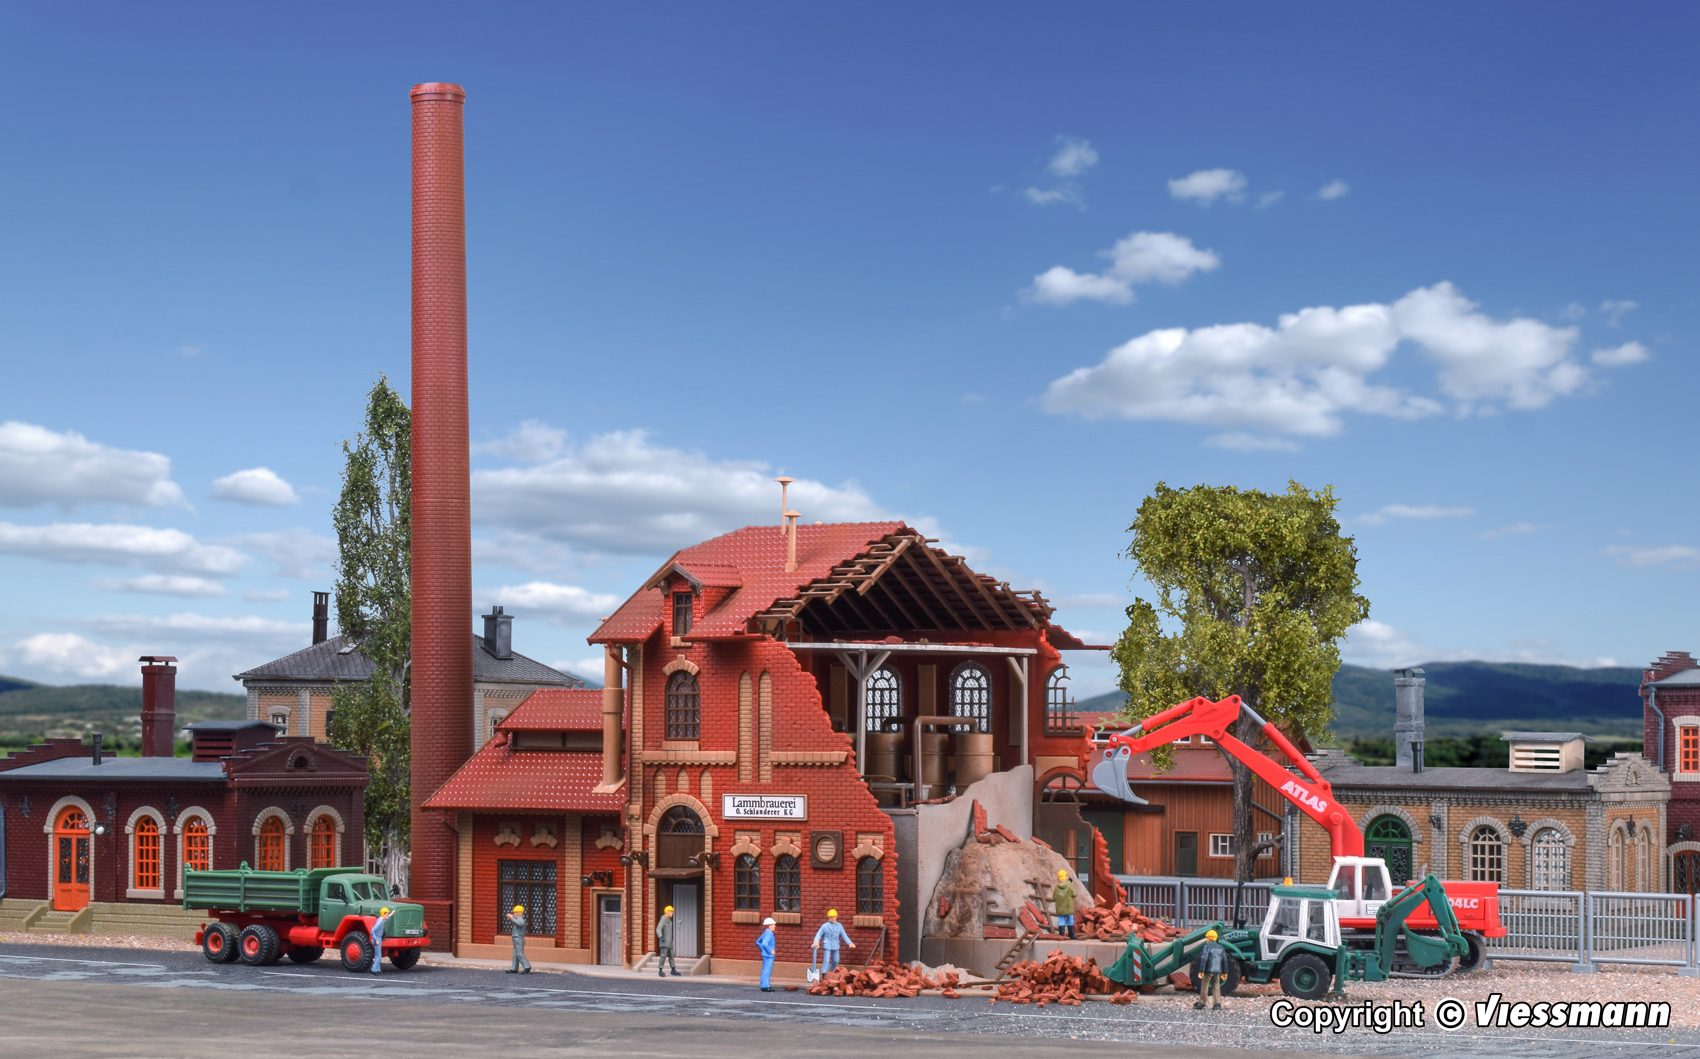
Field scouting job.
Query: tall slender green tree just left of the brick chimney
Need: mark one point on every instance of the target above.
(375, 614)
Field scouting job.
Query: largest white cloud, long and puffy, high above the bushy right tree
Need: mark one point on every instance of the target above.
(1313, 366)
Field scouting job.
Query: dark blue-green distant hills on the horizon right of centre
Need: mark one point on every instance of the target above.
(1478, 698)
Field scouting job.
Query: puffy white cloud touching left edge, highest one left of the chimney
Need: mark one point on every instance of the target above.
(69, 470)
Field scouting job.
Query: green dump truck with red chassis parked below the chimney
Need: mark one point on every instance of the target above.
(269, 915)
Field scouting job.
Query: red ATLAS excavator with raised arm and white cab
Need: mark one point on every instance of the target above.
(1361, 881)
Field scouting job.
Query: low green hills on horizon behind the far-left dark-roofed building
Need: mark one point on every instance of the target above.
(31, 711)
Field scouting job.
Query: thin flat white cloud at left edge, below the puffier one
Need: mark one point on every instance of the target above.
(120, 545)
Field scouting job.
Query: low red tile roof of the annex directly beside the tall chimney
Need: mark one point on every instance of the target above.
(501, 779)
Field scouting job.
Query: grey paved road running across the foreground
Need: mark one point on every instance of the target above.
(111, 1002)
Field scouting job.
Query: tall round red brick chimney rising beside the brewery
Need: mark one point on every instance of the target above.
(443, 563)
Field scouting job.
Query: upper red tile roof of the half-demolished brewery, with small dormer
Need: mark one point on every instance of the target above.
(752, 562)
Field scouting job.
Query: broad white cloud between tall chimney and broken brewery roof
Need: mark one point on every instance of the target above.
(623, 494)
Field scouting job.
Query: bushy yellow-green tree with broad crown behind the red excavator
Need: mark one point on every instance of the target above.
(1254, 594)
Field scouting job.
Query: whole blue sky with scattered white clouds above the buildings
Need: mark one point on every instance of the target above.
(985, 268)
